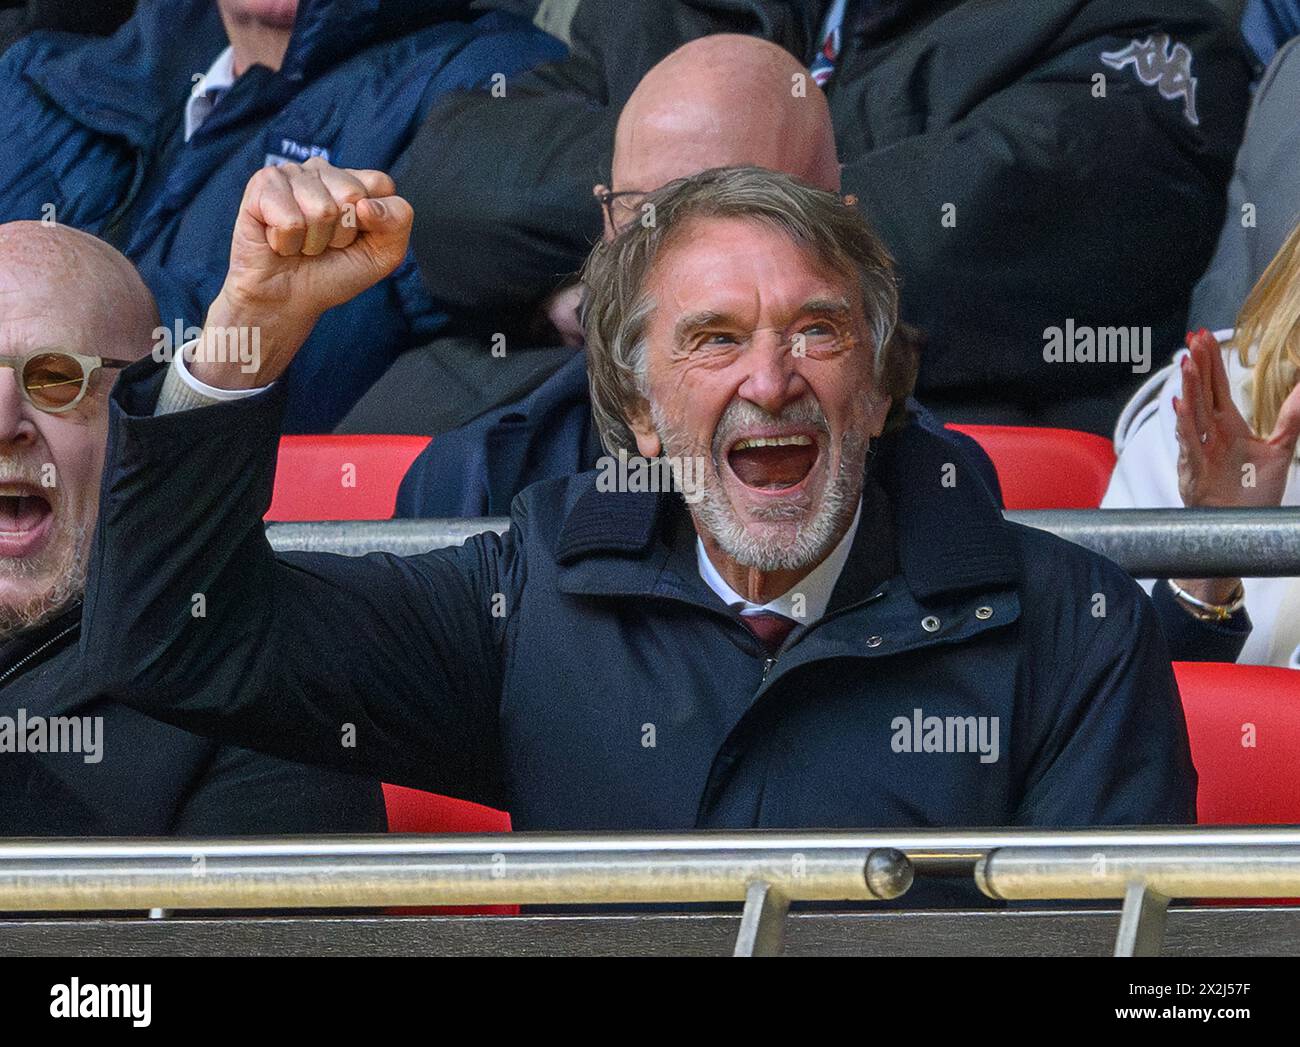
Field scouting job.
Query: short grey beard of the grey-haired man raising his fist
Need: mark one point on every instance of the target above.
(813, 542)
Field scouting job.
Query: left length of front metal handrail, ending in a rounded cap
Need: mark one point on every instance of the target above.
(207, 875)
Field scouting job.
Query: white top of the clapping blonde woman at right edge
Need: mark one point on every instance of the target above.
(1146, 477)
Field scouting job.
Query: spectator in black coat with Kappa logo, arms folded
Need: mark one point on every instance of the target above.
(1015, 196)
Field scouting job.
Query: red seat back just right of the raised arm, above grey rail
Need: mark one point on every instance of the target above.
(341, 478)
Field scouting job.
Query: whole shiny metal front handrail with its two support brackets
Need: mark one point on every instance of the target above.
(765, 869)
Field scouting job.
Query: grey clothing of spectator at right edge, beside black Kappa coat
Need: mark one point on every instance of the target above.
(1263, 198)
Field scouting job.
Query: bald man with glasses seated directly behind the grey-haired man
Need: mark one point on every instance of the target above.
(714, 102)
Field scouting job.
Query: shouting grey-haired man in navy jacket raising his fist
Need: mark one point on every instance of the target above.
(829, 626)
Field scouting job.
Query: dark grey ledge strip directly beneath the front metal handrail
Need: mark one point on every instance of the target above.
(1266, 931)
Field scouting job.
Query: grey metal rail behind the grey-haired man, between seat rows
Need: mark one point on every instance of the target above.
(1147, 543)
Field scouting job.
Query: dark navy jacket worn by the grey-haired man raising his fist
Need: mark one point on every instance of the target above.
(579, 673)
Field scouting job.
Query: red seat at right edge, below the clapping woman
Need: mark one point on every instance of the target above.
(1245, 728)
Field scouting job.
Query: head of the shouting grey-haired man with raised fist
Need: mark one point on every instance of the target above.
(775, 442)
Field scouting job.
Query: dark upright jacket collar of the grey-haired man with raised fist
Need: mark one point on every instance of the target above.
(950, 534)
